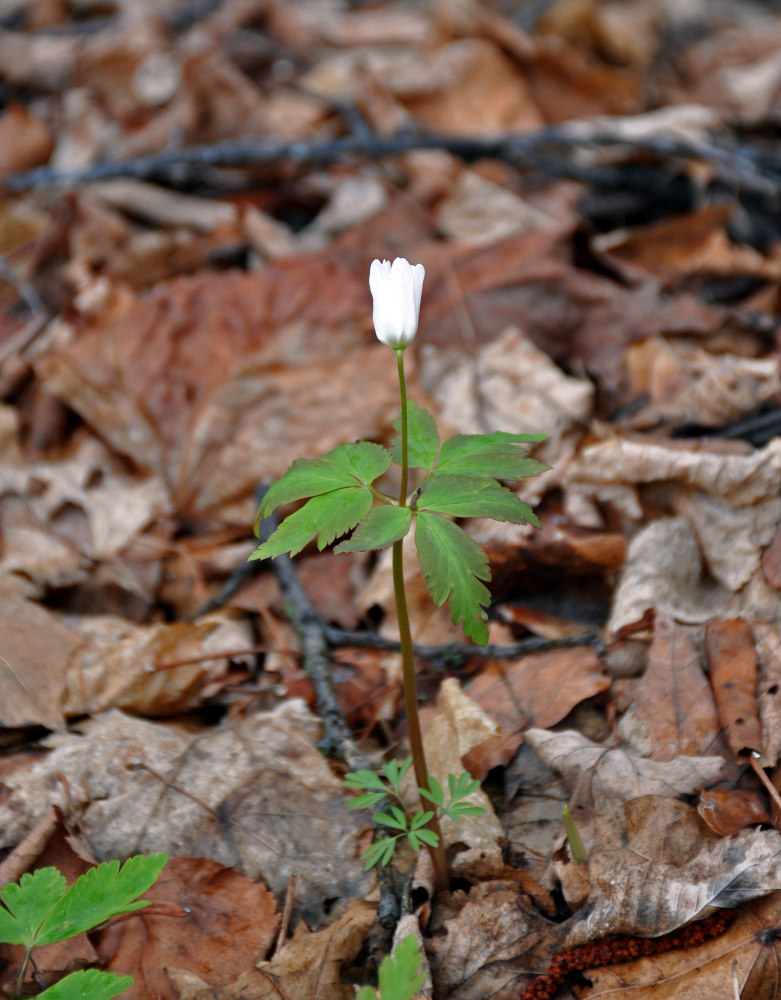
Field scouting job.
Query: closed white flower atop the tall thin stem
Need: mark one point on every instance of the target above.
(396, 290)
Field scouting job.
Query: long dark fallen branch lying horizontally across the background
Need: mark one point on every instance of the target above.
(557, 150)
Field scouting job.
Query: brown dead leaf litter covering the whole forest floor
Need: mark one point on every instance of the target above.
(167, 342)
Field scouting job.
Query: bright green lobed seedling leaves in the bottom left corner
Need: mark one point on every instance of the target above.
(41, 909)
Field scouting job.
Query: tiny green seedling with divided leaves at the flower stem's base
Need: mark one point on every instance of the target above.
(414, 826)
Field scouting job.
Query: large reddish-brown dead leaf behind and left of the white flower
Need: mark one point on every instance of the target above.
(195, 381)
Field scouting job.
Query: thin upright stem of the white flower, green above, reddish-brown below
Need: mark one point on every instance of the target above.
(407, 655)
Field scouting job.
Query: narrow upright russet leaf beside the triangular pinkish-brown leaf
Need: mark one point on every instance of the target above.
(732, 667)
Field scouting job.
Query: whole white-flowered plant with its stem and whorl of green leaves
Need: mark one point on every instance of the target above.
(456, 478)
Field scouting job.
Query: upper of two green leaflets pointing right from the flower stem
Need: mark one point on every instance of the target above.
(497, 455)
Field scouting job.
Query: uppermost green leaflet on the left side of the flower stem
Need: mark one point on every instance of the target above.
(358, 463)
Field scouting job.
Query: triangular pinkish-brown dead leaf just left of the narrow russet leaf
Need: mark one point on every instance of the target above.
(674, 706)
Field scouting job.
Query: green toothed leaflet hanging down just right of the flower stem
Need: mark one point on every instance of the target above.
(453, 566)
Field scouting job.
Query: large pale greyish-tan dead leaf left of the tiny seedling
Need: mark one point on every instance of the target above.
(256, 795)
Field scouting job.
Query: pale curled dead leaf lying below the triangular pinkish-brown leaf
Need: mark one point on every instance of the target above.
(619, 774)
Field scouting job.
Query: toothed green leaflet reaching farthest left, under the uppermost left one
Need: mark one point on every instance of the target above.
(326, 516)
